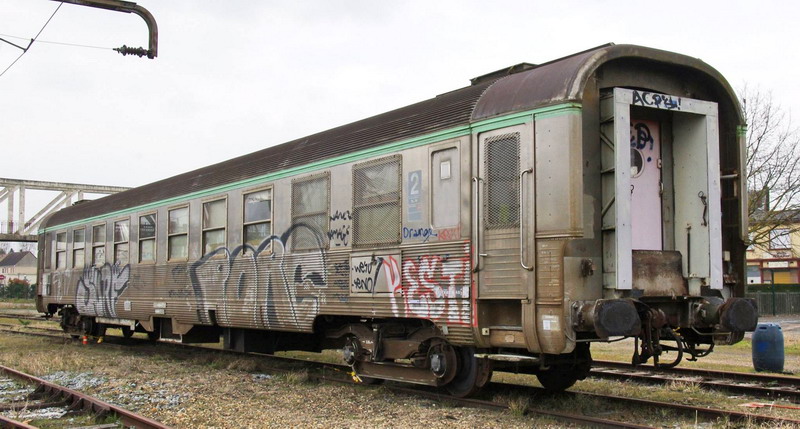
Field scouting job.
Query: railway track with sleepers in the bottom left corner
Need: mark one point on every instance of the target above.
(55, 402)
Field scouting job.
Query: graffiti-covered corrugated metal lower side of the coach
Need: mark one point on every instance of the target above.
(277, 291)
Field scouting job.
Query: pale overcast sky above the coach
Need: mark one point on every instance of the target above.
(233, 77)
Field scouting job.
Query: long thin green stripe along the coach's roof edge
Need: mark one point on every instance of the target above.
(477, 127)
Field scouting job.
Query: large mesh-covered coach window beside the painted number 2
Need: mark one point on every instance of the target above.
(376, 201)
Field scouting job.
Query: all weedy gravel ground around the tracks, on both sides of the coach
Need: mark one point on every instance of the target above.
(207, 389)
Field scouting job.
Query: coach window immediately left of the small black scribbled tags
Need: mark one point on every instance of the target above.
(310, 202)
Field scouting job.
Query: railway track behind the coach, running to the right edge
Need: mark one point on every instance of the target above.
(759, 385)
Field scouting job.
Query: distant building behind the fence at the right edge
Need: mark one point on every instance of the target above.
(776, 260)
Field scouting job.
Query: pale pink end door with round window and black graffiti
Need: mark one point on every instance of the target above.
(646, 186)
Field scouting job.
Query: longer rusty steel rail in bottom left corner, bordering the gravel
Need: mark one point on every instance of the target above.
(86, 402)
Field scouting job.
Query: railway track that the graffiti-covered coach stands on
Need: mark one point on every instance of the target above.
(342, 375)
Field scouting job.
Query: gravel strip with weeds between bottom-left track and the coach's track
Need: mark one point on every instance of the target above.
(213, 390)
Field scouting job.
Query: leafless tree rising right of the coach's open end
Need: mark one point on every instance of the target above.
(773, 161)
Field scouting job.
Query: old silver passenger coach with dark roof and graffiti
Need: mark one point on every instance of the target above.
(507, 224)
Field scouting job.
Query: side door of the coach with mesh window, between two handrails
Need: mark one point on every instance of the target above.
(505, 252)
